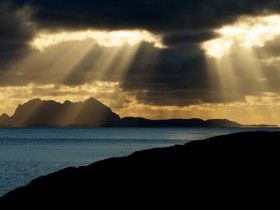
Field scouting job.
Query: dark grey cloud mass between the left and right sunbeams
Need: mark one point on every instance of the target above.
(178, 76)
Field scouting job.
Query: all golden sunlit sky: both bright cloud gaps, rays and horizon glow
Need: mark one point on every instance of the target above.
(60, 54)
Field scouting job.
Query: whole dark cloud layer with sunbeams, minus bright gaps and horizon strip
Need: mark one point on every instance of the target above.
(177, 75)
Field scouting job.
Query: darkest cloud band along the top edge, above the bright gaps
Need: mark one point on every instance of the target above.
(157, 15)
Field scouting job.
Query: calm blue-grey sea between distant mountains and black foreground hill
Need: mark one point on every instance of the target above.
(29, 153)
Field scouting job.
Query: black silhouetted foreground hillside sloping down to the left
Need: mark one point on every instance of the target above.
(224, 171)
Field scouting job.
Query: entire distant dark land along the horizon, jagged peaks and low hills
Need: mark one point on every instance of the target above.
(91, 113)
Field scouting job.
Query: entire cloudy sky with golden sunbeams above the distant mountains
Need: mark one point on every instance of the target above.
(157, 59)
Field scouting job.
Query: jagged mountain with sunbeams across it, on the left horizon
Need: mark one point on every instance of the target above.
(90, 113)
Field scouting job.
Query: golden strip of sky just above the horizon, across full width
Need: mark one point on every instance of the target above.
(125, 104)
